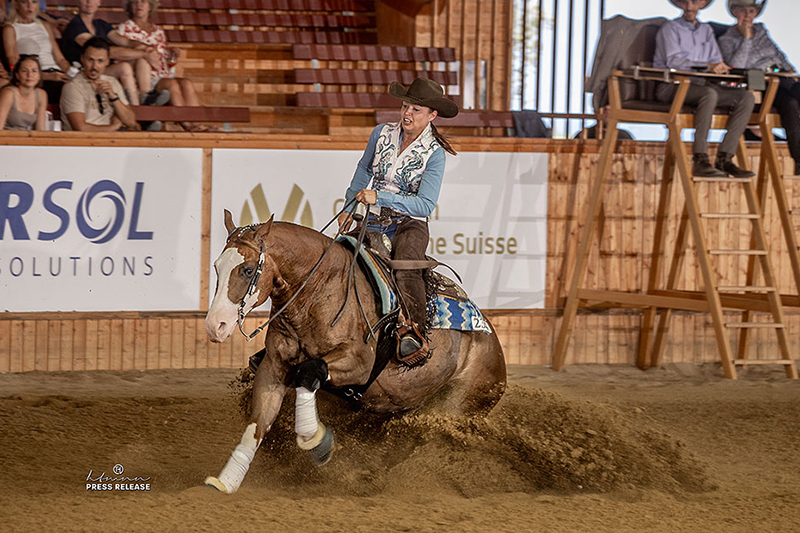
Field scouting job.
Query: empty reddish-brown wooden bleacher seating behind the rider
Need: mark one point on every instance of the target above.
(297, 65)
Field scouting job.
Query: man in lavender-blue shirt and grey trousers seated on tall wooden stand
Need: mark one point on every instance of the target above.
(687, 44)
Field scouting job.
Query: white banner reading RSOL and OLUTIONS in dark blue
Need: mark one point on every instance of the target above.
(100, 229)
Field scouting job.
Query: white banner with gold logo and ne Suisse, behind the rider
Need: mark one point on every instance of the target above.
(490, 224)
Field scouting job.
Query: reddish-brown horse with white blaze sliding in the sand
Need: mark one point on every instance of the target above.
(466, 373)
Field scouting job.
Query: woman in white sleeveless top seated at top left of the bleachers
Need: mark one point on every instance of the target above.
(23, 33)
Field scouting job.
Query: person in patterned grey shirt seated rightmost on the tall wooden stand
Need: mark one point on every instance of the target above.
(748, 45)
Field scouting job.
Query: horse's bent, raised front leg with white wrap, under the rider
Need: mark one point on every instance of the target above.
(341, 367)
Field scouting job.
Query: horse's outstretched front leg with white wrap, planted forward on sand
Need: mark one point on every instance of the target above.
(268, 392)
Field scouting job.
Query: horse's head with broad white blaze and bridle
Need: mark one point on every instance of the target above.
(246, 277)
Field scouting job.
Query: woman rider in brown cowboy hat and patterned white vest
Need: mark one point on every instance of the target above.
(405, 161)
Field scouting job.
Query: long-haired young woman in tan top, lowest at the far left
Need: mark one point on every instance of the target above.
(23, 105)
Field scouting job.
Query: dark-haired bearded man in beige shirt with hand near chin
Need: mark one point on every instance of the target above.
(93, 101)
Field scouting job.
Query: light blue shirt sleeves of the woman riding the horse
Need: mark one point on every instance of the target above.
(422, 204)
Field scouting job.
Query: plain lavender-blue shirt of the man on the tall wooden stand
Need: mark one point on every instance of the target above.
(681, 45)
